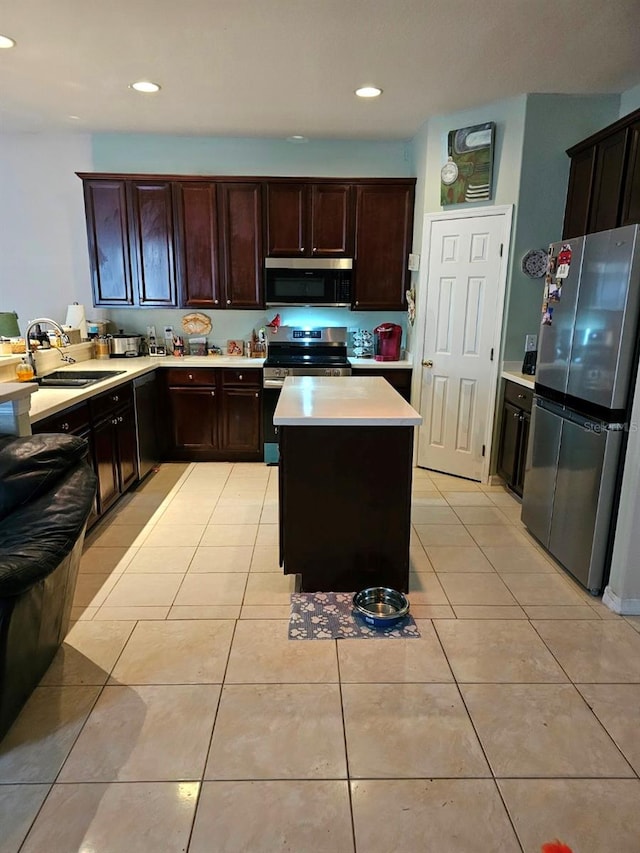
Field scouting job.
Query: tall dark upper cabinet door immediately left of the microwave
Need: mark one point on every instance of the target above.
(241, 244)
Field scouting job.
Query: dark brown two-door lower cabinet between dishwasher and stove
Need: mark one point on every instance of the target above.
(215, 413)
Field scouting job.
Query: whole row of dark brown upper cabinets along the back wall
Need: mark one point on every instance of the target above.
(197, 242)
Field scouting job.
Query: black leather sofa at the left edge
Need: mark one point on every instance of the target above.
(46, 494)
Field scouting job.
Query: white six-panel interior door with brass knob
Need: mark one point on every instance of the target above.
(464, 294)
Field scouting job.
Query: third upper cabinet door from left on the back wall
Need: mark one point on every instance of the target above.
(197, 244)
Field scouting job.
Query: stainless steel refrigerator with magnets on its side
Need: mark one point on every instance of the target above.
(587, 362)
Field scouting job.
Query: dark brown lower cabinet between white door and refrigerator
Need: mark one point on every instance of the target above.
(514, 435)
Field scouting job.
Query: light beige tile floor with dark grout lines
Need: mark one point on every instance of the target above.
(178, 716)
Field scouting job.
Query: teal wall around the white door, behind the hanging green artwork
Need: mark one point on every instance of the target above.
(531, 170)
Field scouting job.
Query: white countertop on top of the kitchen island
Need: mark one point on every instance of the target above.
(342, 401)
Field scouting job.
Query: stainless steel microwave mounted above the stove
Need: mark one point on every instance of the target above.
(324, 282)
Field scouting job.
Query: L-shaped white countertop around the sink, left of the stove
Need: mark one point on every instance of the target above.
(50, 401)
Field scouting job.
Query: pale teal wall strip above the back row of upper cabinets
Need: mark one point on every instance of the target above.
(193, 155)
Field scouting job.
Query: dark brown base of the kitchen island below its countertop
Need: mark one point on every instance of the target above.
(345, 506)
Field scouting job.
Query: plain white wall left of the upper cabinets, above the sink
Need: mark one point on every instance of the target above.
(43, 242)
